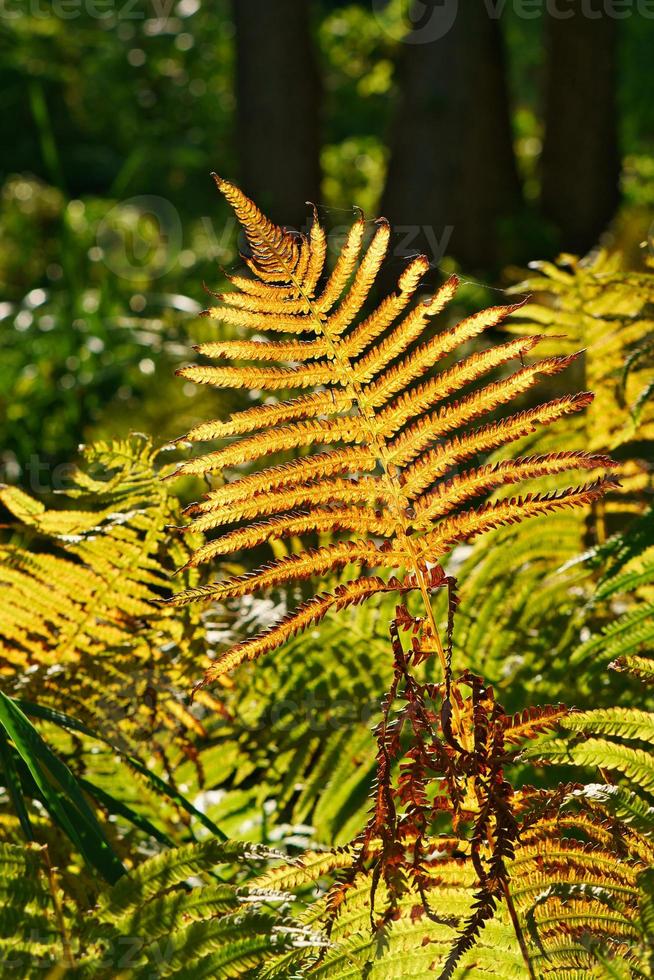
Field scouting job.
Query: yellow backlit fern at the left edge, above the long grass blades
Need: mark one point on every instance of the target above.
(81, 629)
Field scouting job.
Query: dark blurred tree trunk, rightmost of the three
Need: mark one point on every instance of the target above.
(581, 158)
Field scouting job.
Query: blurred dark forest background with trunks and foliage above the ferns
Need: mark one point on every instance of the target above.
(489, 140)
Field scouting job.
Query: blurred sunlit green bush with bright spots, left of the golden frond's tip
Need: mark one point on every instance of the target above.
(91, 321)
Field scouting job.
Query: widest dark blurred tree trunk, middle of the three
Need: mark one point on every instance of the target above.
(452, 172)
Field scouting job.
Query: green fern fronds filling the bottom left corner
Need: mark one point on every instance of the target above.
(174, 916)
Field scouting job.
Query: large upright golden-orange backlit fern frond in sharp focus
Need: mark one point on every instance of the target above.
(381, 434)
